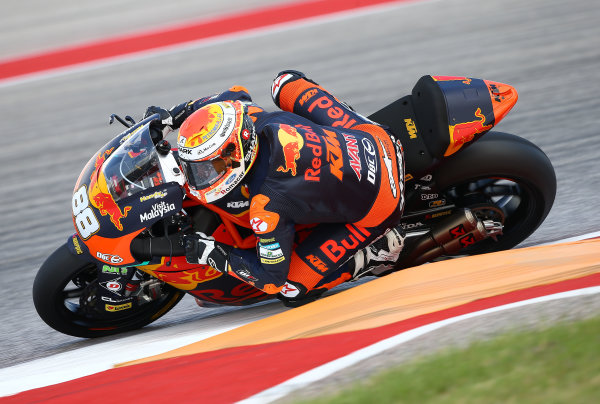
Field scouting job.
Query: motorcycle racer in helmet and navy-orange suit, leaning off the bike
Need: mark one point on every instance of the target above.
(315, 161)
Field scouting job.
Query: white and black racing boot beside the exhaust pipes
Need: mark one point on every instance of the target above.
(379, 257)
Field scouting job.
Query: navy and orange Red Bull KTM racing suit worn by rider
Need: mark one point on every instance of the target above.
(326, 184)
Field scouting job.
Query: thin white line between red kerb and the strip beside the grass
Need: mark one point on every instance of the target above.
(327, 369)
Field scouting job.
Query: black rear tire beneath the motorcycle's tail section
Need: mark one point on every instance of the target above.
(501, 163)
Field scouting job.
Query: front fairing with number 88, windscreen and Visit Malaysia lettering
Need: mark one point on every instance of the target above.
(124, 189)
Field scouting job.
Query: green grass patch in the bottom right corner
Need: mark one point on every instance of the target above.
(554, 365)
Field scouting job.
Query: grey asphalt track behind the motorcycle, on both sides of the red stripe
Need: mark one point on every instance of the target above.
(548, 49)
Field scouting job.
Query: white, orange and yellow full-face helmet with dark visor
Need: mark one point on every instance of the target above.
(217, 147)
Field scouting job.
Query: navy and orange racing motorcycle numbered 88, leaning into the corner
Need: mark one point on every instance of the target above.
(124, 267)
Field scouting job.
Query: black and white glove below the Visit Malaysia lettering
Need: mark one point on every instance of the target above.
(204, 250)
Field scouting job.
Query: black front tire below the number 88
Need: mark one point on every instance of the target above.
(54, 292)
